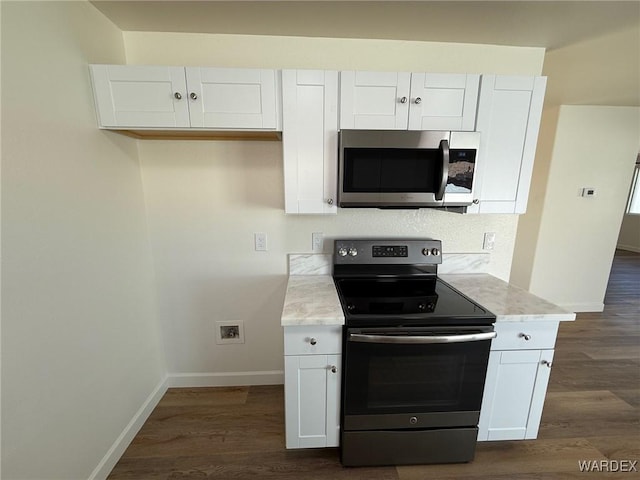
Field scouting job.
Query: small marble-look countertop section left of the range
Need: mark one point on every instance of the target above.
(311, 300)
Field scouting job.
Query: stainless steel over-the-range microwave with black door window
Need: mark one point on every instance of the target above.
(406, 169)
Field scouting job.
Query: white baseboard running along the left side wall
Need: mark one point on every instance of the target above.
(126, 437)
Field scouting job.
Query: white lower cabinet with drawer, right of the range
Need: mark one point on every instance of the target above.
(517, 378)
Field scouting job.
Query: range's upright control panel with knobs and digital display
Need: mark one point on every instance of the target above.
(384, 251)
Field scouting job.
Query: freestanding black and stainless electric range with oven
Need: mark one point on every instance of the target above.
(415, 356)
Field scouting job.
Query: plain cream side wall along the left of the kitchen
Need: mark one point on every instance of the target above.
(80, 345)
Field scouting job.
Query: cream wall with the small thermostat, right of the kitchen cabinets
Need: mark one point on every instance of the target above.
(576, 236)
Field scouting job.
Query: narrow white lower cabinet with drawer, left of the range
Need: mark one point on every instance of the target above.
(312, 366)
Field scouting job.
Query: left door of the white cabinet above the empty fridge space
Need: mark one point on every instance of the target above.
(140, 96)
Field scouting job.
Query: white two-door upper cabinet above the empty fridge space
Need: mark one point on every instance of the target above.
(147, 97)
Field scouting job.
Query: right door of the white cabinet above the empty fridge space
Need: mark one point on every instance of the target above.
(233, 98)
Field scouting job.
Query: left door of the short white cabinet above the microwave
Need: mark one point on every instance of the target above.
(374, 100)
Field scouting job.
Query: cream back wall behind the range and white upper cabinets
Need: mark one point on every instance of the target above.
(205, 199)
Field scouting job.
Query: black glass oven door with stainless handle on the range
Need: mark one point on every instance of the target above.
(414, 378)
